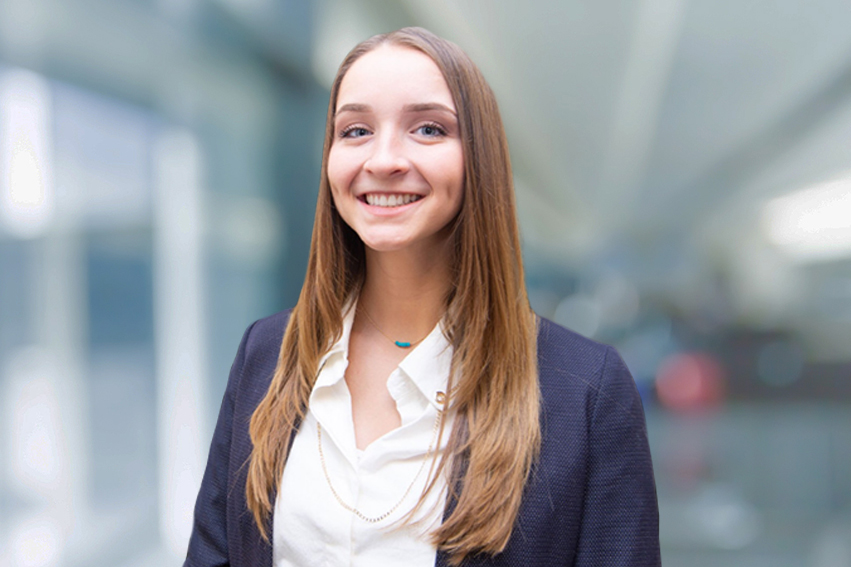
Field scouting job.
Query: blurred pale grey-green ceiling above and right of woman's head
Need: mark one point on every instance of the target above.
(621, 111)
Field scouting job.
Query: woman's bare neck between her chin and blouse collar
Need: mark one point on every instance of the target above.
(405, 295)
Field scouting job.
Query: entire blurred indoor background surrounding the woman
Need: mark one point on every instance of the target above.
(683, 172)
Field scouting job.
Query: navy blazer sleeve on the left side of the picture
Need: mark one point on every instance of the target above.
(208, 544)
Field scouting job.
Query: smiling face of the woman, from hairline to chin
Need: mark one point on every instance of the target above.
(396, 164)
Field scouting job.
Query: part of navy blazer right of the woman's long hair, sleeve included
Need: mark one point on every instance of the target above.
(595, 458)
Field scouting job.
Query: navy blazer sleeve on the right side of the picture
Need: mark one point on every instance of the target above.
(620, 521)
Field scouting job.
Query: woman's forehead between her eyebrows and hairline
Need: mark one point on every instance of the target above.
(391, 75)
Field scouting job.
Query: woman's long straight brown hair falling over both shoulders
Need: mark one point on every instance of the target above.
(496, 433)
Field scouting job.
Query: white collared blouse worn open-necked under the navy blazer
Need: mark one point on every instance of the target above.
(311, 527)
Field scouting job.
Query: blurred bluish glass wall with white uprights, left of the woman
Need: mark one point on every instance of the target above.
(148, 214)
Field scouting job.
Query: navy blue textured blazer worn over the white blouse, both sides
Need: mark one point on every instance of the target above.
(589, 501)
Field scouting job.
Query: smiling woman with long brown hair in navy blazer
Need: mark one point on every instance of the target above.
(411, 409)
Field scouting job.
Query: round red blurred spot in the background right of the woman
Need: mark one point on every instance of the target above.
(689, 382)
